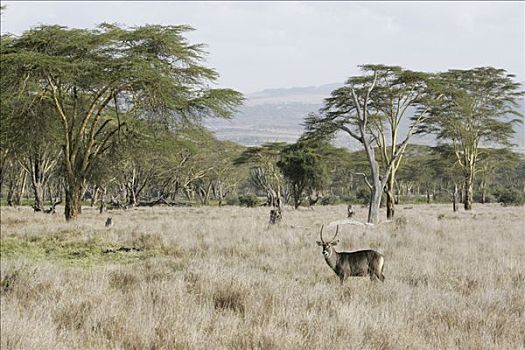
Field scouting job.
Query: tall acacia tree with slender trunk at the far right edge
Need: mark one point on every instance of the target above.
(476, 106)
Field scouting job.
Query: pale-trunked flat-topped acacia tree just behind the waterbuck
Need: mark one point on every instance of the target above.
(361, 108)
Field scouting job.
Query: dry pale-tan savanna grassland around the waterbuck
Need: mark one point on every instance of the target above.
(221, 278)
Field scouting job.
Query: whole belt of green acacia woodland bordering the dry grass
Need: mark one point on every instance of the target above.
(113, 116)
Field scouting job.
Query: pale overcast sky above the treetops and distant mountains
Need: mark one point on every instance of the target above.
(259, 45)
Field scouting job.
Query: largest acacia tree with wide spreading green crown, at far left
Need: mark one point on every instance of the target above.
(98, 80)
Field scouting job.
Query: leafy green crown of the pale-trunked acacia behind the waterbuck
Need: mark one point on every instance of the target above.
(388, 91)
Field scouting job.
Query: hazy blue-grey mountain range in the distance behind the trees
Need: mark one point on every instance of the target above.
(277, 115)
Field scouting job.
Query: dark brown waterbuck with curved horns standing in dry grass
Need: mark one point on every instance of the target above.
(358, 263)
